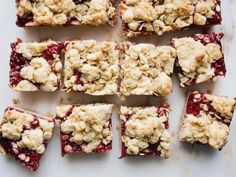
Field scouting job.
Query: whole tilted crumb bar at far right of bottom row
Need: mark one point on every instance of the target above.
(206, 119)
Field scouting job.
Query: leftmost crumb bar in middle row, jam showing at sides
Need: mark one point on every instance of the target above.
(35, 66)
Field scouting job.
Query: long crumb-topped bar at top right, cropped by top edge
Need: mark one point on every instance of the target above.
(151, 16)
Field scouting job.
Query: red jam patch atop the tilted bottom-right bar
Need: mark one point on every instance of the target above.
(195, 104)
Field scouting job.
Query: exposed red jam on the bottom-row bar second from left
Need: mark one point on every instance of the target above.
(75, 148)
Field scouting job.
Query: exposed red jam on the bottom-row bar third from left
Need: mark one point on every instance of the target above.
(151, 150)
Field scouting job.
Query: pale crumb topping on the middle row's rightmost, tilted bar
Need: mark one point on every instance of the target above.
(196, 60)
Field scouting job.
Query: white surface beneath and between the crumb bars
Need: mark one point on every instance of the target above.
(184, 161)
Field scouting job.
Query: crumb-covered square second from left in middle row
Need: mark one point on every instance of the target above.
(91, 67)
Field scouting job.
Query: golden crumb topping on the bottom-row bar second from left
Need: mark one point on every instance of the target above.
(88, 125)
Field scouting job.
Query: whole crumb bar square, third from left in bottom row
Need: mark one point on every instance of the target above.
(144, 131)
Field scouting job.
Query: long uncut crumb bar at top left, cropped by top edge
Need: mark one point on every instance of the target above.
(65, 12)
